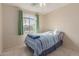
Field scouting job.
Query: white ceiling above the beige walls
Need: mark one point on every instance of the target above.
(36, 8)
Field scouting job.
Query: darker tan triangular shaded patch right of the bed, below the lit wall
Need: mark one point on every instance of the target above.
(68, 43)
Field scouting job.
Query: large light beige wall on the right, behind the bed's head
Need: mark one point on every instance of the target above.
(65, 19)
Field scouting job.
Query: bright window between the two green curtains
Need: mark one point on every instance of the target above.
(29, 23)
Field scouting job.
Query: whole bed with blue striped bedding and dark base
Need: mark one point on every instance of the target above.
(43, 43)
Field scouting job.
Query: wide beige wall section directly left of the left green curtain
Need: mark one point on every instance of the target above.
(10, 22)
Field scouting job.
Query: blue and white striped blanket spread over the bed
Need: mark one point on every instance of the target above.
(42, 41)
